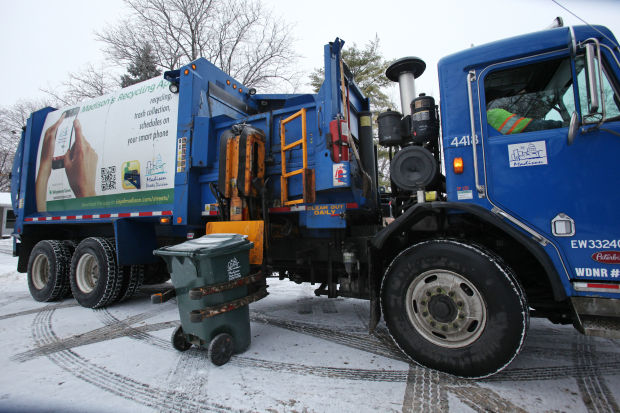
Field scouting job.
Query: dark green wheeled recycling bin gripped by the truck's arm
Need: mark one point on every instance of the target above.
(210, 275)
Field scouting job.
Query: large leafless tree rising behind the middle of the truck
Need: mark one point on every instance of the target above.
(241, 37)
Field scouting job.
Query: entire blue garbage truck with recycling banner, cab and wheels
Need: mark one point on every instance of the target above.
(501, 204)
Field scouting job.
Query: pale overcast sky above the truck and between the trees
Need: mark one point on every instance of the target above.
(42, 41)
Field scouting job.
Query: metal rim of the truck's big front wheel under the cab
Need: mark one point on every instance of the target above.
(446, 308)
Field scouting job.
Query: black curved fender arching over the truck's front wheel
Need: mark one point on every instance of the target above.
(419, 211)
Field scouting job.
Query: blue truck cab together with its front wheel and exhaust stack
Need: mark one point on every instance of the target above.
(530, 131)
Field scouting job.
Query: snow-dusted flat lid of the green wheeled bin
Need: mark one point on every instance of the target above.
(211, 244)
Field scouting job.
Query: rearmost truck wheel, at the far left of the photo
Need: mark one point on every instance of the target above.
(48, 270)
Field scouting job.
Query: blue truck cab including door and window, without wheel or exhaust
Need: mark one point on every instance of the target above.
(551, 178)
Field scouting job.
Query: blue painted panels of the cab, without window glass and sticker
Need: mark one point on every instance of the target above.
(575, 179)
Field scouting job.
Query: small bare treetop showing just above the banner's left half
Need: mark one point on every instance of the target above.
(88, 83)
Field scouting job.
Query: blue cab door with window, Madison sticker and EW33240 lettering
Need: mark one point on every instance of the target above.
(567, 192)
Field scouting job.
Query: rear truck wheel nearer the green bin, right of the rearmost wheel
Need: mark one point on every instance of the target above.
(95, 281)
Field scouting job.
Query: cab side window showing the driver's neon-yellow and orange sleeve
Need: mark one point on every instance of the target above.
(530, 98)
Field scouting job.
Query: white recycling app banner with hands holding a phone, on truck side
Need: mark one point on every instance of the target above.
(117, 150)
